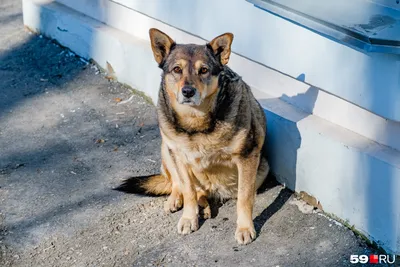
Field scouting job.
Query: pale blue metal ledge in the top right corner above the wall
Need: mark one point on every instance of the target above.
(361, 24)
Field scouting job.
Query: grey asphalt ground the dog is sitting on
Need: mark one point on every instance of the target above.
(69, 135)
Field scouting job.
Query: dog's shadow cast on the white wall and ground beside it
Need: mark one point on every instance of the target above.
(283, 142)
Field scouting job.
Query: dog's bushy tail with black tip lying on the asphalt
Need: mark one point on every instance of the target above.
(155, 185)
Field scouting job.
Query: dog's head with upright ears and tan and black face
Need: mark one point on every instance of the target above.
(190, 71)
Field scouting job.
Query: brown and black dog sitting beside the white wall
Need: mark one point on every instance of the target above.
(213, 133)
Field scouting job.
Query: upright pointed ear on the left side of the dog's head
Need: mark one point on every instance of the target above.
(160, 44)
